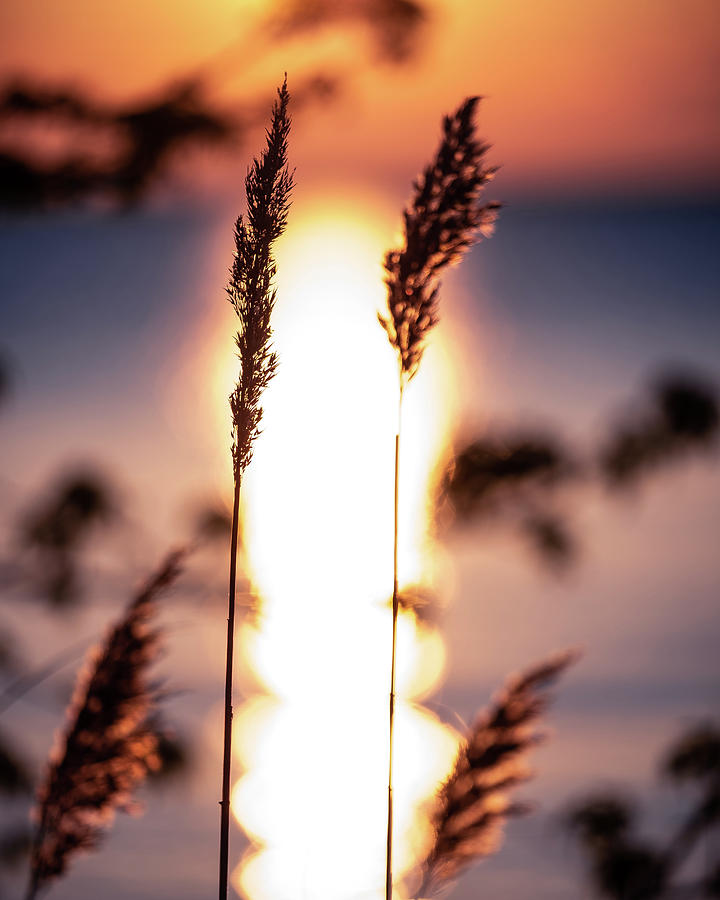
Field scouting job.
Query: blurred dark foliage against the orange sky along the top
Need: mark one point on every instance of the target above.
(118, 152)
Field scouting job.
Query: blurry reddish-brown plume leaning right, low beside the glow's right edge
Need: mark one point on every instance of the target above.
(472, 804)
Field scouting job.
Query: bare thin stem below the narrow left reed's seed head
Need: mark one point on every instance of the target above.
(227, 742)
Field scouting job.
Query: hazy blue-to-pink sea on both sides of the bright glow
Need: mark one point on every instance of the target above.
(570, 310)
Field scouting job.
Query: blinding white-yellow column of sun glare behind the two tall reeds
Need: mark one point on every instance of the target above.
(318, 527)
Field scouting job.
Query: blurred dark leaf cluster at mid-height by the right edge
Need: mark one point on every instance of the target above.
(526, 481)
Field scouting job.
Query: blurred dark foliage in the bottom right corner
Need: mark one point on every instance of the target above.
(622, 866)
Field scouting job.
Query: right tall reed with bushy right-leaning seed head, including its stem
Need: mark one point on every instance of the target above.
(444, 218)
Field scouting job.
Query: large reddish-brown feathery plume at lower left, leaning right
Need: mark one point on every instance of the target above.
(109, 744)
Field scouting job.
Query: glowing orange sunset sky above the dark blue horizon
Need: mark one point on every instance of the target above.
(592, 96)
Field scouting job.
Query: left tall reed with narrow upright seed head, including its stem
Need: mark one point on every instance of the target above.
(268, 185)
